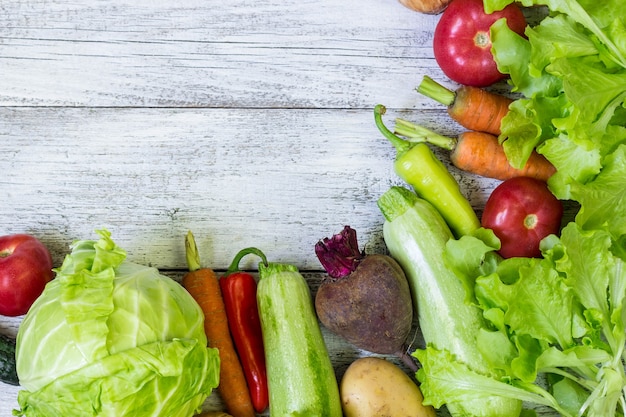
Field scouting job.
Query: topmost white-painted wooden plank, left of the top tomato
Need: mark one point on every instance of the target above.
(193, 53)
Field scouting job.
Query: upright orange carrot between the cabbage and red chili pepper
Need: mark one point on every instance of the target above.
(203, 285)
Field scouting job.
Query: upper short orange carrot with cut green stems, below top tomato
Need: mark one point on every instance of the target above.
(472, 107)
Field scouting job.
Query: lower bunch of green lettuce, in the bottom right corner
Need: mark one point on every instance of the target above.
(575, 294)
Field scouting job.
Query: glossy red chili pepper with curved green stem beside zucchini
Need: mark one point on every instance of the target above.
(239, 294)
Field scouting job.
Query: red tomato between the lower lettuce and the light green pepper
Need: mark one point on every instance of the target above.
(521, 211)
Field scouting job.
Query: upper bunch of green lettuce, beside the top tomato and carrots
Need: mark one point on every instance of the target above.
(571, 75)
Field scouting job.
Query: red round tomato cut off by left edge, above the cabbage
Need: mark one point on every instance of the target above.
(25, 269)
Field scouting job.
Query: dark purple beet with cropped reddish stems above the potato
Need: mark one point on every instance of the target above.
(366, 298)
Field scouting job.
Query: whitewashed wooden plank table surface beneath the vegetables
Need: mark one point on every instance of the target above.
(248, 122)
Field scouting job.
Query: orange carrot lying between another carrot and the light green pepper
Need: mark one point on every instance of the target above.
(479, 153)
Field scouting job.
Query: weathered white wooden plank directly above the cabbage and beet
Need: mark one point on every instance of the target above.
(279, 180)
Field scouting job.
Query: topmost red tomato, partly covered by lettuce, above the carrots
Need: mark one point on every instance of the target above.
(462, 44)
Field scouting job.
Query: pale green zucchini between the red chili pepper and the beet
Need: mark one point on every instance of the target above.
(300, 376)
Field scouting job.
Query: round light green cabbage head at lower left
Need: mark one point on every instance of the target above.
(109, 337)
